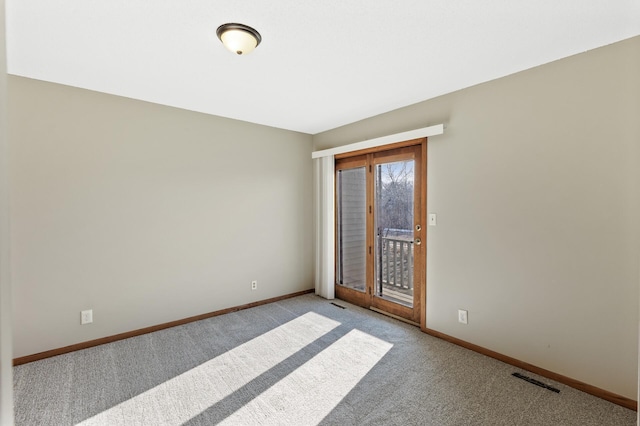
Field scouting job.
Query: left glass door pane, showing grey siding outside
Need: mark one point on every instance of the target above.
(351, 194)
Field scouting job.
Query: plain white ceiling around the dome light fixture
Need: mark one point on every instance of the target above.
(321, 64)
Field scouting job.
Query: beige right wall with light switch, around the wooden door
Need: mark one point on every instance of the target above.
(535, 183)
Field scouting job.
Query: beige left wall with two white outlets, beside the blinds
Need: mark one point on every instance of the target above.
(146, 214)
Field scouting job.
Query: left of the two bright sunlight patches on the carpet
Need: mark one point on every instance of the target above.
(187, 395)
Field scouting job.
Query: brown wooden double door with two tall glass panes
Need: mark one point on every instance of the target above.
(380, 236)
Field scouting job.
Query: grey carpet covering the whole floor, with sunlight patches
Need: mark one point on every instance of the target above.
(301, 361)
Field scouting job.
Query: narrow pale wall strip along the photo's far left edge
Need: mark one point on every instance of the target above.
(6, 382)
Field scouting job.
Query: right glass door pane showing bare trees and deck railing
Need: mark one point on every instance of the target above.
(394, 219)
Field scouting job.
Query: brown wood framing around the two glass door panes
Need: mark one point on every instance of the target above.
(366, 298)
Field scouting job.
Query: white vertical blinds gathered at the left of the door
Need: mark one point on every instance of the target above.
(324, 221)
